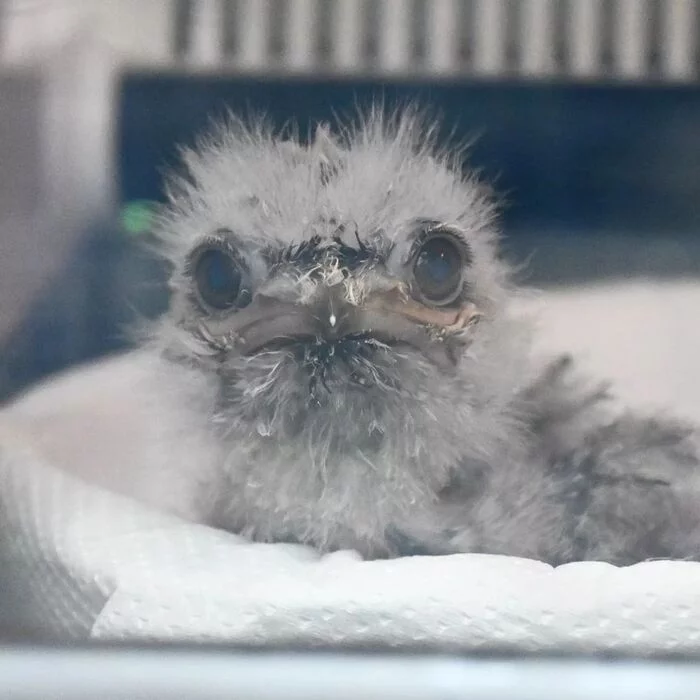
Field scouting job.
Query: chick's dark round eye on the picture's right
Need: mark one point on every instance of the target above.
(438, 268)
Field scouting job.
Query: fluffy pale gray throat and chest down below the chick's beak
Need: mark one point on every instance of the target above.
(338, 462)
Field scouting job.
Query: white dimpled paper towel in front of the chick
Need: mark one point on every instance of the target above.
(81, 562)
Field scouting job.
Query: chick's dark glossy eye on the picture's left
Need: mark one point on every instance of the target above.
(220, 278)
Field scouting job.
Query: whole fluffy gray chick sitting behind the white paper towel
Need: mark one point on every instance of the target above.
(340, 350)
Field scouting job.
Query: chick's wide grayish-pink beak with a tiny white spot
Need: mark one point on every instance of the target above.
(390, 317)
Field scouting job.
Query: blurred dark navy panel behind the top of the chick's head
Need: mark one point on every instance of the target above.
(569, 158)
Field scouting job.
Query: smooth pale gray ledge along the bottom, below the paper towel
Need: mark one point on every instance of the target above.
(198, 675)
